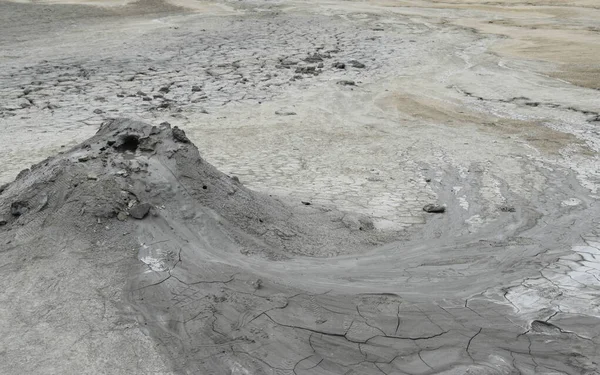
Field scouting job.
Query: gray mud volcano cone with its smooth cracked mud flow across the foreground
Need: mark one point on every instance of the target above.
(132, 244)
